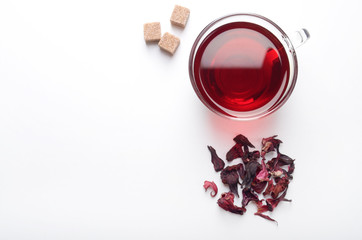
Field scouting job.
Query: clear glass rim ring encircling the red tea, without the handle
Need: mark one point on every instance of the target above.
(292, 78)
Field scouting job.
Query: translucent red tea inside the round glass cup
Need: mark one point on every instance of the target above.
(241, 67)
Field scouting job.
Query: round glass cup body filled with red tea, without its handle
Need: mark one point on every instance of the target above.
(243, 66)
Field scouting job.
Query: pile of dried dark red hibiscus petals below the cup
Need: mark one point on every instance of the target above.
(267, 178)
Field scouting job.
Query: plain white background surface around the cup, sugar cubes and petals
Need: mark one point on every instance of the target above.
(102, 136)
